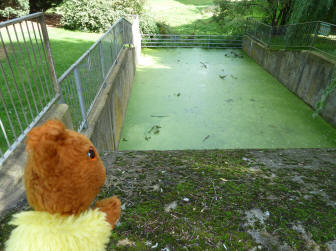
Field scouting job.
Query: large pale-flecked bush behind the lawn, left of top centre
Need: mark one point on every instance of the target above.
(97, 15)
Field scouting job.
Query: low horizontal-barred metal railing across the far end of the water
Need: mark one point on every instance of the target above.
(188, 41)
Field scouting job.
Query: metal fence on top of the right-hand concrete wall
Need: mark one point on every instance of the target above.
(319, 36)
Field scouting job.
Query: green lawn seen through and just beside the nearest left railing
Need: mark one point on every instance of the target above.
(67, 47)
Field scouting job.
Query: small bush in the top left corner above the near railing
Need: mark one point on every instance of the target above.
(13, 8)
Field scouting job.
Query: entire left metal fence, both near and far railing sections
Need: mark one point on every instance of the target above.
(28, 82)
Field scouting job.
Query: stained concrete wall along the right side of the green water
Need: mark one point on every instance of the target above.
(305, 73)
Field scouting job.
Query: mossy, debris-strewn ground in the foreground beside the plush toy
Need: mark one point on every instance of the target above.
(220, 200)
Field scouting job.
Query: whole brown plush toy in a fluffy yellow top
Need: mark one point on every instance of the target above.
(64, 174)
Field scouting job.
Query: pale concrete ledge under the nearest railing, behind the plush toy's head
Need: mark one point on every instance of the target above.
(12, 170)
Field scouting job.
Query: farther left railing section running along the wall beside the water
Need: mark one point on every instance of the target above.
(83, 81)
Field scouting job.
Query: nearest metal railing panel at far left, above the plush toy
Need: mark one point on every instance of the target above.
(28, 85)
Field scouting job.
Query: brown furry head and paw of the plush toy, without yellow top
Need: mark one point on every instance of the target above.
(60, 177)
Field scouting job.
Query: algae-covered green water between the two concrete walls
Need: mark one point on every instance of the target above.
(215, 99)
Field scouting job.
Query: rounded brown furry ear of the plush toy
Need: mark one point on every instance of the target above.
(42, 142)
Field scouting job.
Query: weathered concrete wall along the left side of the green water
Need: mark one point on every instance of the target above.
(106, 118)
